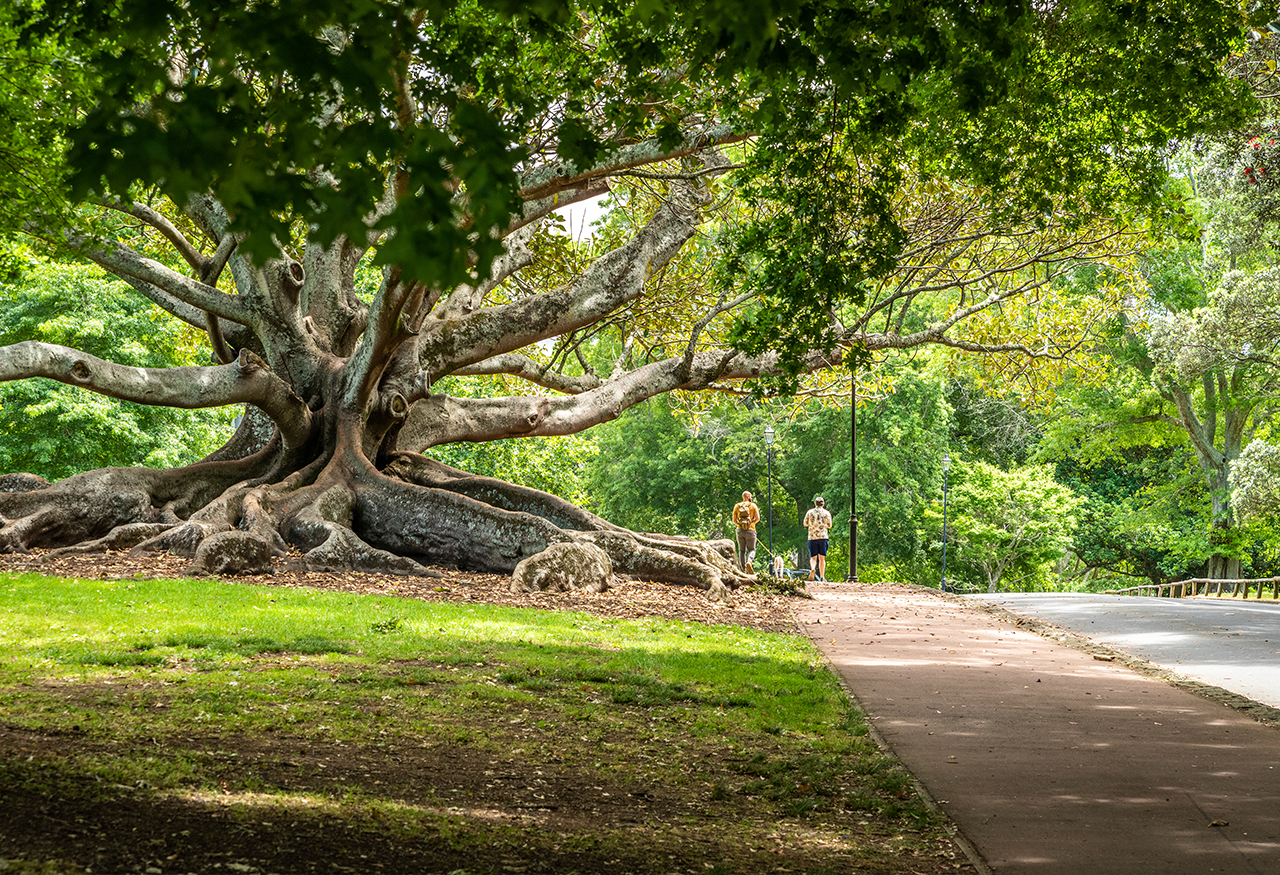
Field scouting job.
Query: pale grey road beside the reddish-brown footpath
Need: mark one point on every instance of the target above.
(1229, 644)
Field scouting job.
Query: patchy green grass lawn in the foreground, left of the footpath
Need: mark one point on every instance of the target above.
(350, 734)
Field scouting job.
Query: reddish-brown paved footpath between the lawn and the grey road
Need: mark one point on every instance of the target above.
(1048, 759)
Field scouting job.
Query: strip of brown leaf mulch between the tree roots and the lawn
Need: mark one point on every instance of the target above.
(752, 607)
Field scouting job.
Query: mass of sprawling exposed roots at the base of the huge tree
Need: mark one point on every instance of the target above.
(351, 520)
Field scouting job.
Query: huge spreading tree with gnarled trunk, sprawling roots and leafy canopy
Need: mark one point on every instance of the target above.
(929, 161)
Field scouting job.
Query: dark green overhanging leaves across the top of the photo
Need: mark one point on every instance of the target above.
(246, 100)
